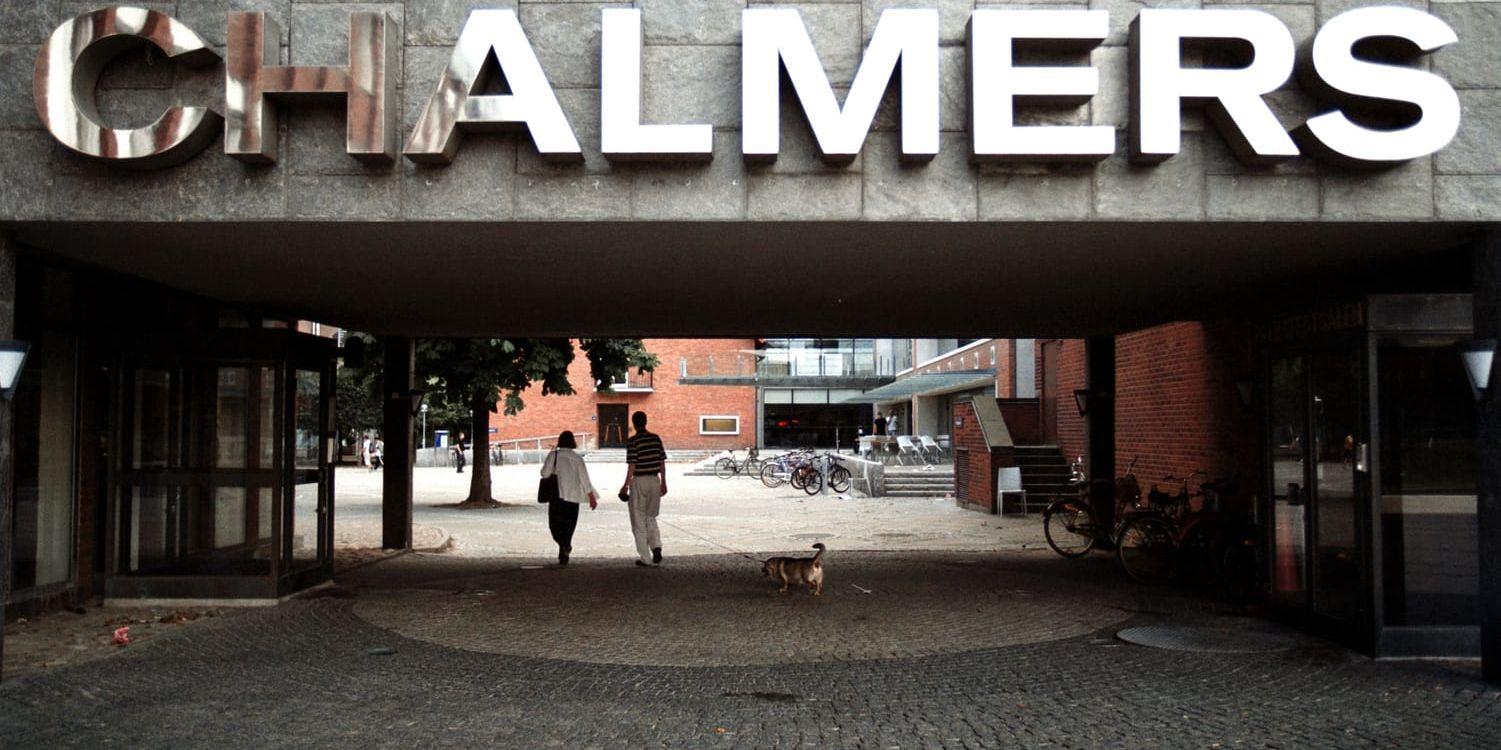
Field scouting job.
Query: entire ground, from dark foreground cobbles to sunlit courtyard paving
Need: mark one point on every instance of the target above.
(957, 638)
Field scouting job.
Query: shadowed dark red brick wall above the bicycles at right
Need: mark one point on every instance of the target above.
(1178, 409)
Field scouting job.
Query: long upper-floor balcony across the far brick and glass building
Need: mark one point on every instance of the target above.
(789, 370)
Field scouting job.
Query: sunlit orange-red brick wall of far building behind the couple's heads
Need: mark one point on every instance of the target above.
(673, 407)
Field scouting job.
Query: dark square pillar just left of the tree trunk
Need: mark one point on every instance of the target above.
(400, 446)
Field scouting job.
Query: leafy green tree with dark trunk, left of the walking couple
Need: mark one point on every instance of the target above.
(486, 373)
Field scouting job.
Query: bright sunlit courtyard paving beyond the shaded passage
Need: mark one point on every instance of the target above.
(700, 515)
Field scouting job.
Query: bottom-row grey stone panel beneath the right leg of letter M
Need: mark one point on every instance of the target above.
(942, 190)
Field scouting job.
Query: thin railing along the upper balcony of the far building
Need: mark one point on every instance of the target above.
(787, 364)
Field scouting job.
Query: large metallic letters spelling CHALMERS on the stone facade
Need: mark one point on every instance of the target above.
(1362, 67)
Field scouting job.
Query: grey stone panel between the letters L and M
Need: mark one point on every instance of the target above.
(691, 85)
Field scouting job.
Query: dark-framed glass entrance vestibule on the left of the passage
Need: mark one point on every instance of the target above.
(223, 485)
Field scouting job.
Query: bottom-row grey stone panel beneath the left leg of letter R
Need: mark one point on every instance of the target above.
(1173, 190)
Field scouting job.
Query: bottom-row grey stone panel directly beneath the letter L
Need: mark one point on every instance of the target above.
(696, 191)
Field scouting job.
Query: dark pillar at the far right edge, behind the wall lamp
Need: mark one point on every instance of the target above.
(1488, 448)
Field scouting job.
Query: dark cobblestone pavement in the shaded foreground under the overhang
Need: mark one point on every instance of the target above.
(304, 676)
